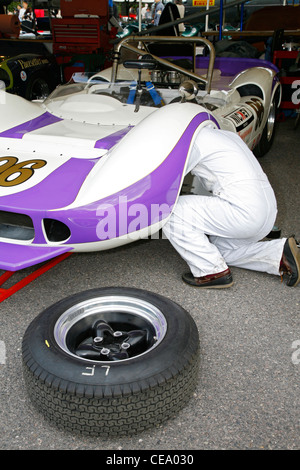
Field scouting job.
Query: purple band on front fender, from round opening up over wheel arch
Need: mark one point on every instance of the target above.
(154, 194)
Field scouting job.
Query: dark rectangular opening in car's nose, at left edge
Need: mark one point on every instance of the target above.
(15, 226)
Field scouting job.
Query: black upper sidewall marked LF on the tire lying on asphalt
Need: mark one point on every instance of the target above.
(49, 362)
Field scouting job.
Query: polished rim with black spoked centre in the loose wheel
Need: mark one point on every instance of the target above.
(110, 329)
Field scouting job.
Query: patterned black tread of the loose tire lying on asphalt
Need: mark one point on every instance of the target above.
(111, 416)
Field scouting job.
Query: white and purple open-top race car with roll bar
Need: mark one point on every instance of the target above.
(101, 163)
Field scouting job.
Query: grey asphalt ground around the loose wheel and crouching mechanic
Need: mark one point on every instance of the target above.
(248, 391)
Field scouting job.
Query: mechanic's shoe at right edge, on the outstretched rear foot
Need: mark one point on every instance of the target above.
(290, 262)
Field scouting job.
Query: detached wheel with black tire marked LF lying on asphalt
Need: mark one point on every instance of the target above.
(111, 361)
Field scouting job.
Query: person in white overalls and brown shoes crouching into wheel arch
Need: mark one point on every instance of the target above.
(225, 229)
